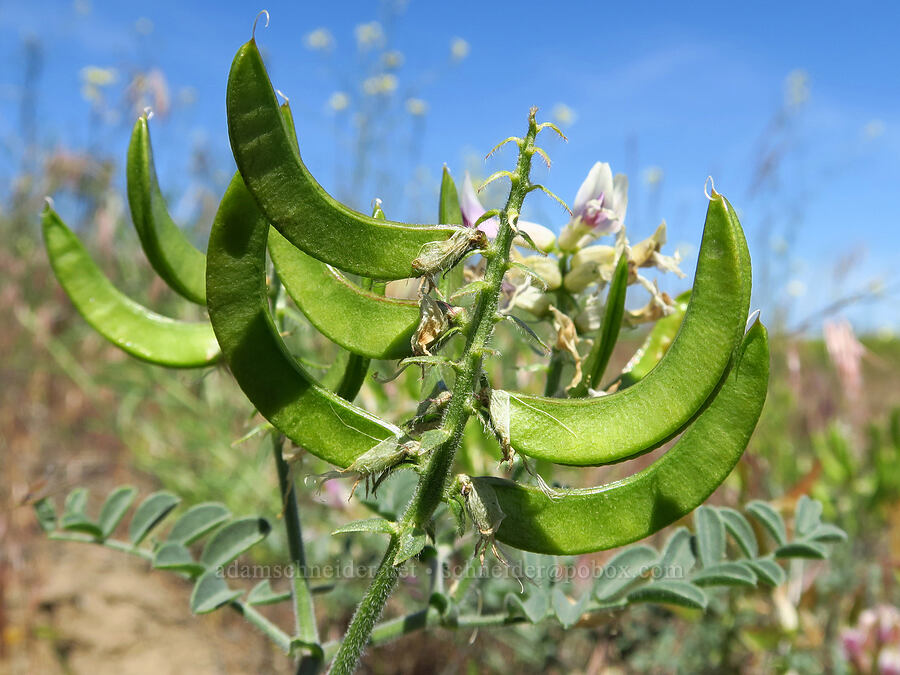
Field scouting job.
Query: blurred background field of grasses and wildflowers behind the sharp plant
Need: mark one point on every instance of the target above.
(76, 411)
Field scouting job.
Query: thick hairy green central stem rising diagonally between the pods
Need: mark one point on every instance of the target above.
(435, 474)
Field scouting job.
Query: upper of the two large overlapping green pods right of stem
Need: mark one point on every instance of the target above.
(607, 429)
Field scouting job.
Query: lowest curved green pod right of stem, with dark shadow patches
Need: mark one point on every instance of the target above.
(594, 519)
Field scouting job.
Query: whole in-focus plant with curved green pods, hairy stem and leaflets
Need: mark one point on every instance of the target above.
(703, 376)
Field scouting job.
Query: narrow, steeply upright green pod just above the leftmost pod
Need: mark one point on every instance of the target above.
(167, 248)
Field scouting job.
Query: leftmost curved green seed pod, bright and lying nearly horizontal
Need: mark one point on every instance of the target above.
(127, 324)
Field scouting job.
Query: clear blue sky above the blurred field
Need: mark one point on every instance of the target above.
(688, 89)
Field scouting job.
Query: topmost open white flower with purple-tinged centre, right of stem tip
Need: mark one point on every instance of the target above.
(599, 208)
